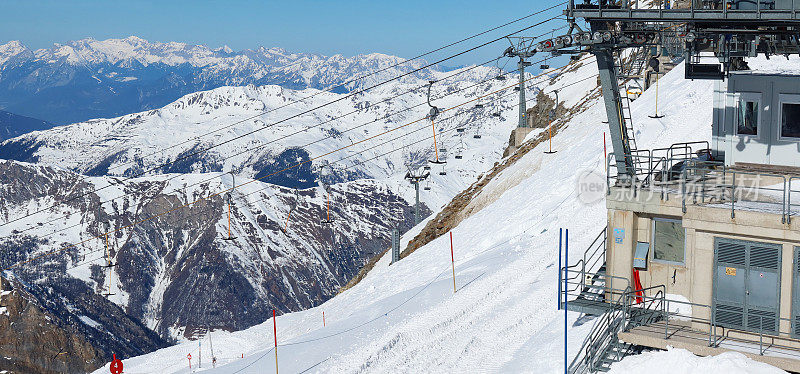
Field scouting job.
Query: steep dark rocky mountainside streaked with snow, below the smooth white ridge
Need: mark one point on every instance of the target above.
(174, 272)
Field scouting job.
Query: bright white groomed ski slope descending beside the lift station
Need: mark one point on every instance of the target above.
(504, 318)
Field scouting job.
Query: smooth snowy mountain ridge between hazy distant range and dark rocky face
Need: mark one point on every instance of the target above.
(259, 131)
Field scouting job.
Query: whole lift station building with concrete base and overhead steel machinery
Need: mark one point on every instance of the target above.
(702, 247)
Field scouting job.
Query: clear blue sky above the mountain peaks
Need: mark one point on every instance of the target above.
(403, 28)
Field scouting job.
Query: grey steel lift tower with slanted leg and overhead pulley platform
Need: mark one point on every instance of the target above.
(729, 30)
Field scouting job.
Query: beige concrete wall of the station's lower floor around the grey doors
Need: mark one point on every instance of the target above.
(694, 278)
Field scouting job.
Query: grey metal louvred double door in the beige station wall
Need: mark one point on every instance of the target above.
(746, 284)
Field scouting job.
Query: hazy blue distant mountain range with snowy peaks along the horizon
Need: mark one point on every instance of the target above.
(88, 78)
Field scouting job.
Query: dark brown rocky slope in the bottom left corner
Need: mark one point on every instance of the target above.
(65, 329)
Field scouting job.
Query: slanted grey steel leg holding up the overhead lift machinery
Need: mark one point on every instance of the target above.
(616, 124)
